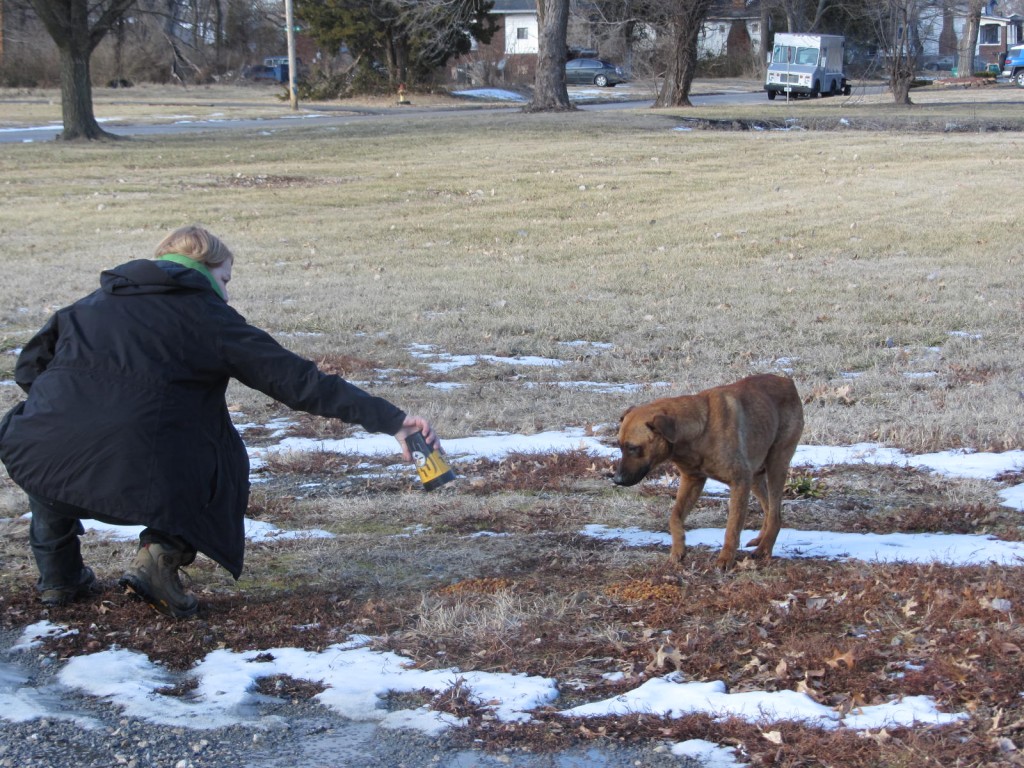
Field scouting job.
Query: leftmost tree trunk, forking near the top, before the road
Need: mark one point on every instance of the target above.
(77, 28)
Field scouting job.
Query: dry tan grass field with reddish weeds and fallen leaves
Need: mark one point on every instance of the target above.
(881, 269)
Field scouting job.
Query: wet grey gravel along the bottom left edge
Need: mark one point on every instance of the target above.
(80, 732)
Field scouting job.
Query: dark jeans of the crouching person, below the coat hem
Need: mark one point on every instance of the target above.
(54, 535)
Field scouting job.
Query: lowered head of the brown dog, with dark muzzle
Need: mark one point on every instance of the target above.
(647, 437)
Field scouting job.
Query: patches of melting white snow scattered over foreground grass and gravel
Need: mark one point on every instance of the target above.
(358, 677)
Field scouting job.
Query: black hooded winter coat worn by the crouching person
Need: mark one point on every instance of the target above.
(125, 415)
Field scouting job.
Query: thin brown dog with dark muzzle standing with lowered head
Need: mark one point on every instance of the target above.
(743, 435)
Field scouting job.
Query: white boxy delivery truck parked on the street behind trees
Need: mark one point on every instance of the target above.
(807, 66)
